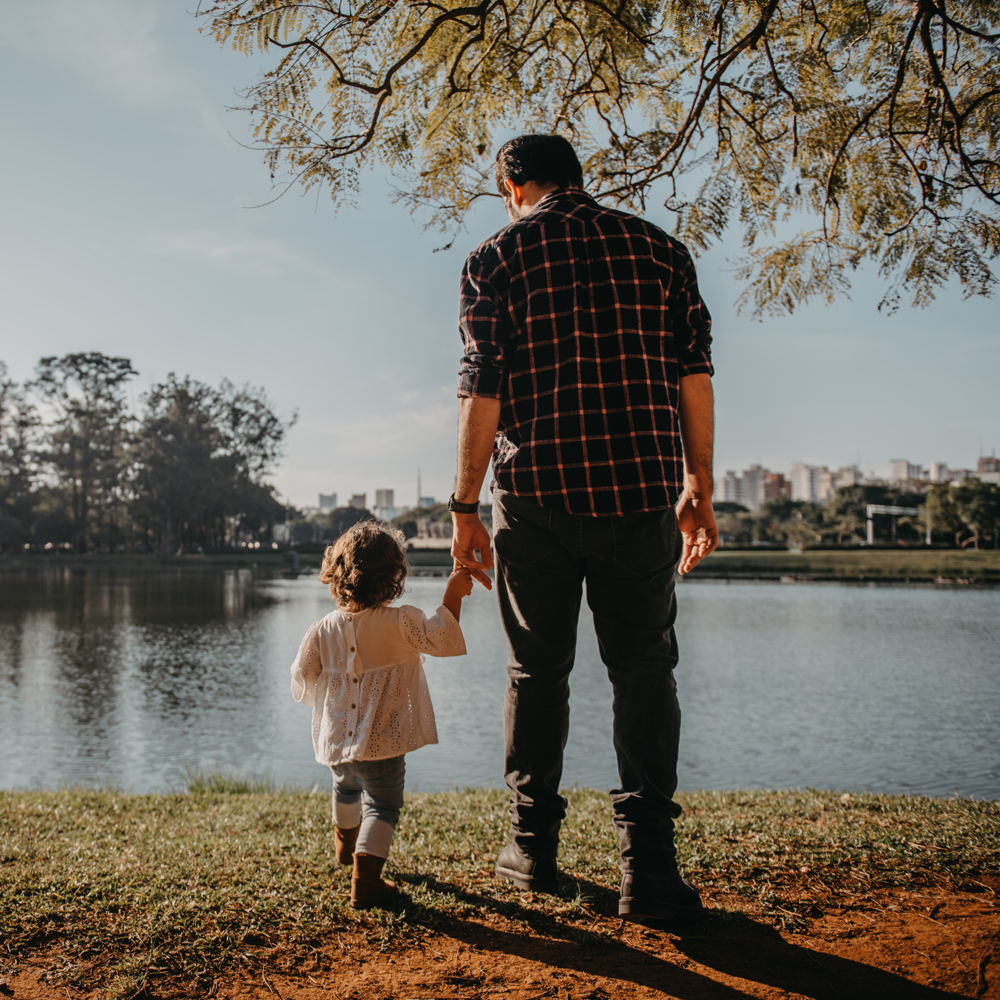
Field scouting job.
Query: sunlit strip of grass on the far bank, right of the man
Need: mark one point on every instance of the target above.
(917, 565)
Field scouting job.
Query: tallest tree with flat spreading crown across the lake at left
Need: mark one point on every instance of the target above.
(88, 440)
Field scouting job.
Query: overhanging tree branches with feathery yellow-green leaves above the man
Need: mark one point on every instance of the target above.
(826, 134)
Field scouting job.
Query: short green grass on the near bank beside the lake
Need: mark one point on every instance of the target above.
(138, 892)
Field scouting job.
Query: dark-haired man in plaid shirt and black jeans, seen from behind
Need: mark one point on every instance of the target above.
(587, 364)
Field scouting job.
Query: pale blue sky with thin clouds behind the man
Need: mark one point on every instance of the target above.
(127, 227)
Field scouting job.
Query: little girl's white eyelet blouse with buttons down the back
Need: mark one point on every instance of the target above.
(363, 675)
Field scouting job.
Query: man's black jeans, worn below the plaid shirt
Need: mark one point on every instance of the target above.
(542, 559)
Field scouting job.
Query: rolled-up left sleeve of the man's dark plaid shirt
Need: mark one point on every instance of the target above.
(484, 361)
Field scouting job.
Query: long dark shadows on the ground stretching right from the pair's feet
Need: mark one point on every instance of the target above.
(731, 944)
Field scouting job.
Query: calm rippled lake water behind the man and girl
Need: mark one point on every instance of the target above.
(134, 678)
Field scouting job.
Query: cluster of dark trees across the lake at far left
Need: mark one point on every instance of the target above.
(80, 470)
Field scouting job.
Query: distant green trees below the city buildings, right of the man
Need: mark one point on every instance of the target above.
(966, 515)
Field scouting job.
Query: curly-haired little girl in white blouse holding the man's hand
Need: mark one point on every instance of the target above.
(361, 670)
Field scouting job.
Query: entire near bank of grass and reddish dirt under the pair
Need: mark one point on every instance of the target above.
(235, 893)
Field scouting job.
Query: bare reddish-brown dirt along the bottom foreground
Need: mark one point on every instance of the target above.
(888, 946)
